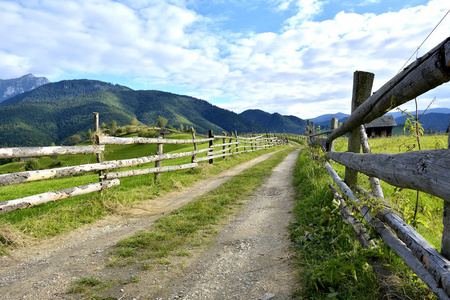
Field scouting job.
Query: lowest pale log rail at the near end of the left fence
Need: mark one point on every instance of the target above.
(12, 205)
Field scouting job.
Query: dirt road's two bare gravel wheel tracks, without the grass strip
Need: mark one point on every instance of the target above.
(249, 261)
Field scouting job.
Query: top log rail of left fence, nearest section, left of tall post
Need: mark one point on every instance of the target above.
(48, 151)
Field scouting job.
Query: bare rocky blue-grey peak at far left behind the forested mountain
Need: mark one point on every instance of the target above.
(12, 87)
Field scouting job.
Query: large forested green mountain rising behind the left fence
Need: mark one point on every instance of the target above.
(56, 111)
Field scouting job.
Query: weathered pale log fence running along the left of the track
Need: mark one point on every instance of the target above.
(107, 178)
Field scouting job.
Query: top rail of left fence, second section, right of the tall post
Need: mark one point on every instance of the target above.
(112, 140)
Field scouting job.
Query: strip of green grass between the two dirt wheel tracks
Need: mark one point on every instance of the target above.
(193, 225)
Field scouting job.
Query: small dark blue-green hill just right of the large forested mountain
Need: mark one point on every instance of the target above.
(276, 122)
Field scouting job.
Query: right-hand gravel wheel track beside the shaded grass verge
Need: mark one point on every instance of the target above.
(251, 258)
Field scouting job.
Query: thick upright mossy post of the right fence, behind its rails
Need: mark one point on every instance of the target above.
(362, 88)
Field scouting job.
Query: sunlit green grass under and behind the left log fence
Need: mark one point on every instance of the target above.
(46, 220)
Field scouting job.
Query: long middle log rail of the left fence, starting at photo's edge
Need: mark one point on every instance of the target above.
(28, 176)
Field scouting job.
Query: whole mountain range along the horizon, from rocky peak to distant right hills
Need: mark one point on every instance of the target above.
(43, 112)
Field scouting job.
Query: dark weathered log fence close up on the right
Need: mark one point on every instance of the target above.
(426, 171)
